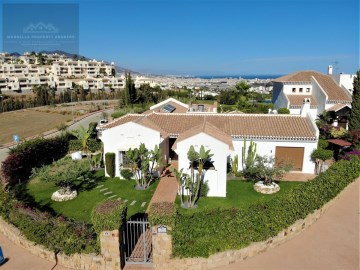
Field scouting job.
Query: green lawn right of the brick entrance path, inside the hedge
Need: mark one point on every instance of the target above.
(240, 194)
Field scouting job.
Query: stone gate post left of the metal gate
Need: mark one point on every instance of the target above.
(109, 243)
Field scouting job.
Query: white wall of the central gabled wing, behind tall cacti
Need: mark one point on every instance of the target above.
(216, 178)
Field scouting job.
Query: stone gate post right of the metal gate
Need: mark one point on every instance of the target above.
(162, 248)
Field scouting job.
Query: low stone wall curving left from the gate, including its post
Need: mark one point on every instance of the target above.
(109, 258)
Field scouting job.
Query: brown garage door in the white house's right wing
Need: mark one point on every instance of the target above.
(294, 155)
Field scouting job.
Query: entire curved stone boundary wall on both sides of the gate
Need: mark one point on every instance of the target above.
(162, 248)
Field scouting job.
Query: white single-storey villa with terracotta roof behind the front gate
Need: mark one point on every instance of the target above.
(286, 137)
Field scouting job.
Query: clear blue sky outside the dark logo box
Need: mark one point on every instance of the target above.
(217, 37)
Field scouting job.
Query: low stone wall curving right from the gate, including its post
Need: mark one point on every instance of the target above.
(162, 254)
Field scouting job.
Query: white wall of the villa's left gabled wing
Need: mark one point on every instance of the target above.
(128, 135)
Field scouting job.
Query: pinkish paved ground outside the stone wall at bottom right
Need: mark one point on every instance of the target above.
(330, 243)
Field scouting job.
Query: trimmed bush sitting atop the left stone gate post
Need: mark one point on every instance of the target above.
(108, 215)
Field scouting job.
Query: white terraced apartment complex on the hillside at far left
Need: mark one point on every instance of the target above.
(20, 74)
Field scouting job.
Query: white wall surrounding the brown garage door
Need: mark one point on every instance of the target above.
(267, 148)
